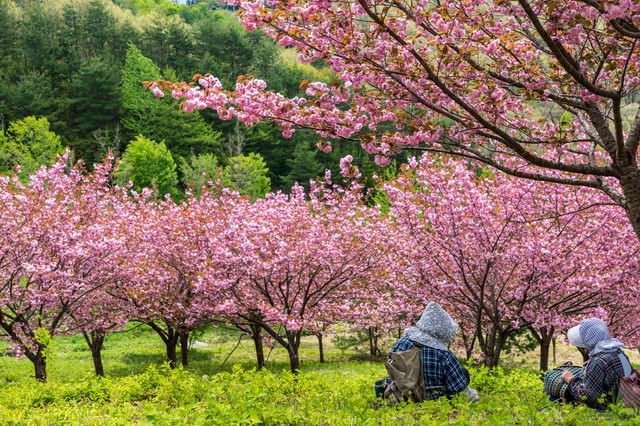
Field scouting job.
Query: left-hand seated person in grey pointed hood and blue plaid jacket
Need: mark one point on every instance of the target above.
(443, 374)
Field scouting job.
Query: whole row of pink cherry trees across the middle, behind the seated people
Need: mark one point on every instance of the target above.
(503, 255)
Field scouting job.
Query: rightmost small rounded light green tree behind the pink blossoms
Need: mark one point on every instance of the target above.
(247, 174)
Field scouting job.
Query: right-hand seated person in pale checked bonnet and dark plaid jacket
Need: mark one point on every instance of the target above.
(607, 364)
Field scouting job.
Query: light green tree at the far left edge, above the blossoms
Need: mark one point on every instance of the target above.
(29, 143)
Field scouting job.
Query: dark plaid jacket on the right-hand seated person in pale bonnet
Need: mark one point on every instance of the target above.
(602, 373)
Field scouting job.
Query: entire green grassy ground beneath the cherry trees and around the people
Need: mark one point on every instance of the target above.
(139, 389)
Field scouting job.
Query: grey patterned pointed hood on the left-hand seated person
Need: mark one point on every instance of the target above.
(435, 328)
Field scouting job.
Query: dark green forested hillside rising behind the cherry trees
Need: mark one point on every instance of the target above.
(82, 63)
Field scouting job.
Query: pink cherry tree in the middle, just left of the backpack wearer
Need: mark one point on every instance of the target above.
(292, 262)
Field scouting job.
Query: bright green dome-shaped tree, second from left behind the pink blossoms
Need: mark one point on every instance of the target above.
(148, 164)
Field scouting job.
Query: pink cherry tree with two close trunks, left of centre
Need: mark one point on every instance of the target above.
(165, 266)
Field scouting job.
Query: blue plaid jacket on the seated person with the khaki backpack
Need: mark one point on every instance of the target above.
(443, 374)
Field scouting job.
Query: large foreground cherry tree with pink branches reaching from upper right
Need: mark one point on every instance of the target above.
(539, 89)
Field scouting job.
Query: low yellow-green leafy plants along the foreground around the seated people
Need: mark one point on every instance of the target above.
(337, 394)
